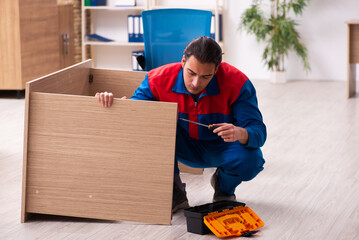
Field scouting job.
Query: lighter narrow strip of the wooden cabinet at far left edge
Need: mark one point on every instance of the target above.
(10, 64)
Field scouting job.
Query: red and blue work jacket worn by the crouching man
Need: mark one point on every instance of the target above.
(229, 97)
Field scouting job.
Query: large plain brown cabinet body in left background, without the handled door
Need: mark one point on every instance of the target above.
(29, 41)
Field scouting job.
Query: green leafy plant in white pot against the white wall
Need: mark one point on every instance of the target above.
(278, 31)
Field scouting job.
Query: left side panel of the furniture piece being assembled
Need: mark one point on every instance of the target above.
(72, 80)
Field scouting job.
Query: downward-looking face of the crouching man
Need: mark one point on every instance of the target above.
(197, 75)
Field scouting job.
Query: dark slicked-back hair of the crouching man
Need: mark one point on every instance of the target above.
(205, 49)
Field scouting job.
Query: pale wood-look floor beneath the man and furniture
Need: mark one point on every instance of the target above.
(308, 190)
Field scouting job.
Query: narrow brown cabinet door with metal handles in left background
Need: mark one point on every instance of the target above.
(66, 35)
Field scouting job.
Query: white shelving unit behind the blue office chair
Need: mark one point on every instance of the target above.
(111, 22)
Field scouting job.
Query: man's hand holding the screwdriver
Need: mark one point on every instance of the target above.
(230, 133)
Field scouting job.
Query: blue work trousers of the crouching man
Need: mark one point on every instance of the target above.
(235, 162)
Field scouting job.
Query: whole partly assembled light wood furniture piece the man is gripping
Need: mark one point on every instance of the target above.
(85, 160)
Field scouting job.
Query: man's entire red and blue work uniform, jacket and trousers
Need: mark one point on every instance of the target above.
(228, 98)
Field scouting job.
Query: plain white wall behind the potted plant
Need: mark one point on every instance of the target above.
(321, 28)
